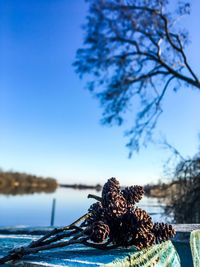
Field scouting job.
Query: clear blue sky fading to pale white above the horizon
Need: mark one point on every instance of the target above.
(49, 124)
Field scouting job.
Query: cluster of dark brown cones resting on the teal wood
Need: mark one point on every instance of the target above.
(117, 218)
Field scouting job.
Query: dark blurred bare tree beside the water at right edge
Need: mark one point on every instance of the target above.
(184, 200)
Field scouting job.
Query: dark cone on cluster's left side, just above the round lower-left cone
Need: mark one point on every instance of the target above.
(97, 213)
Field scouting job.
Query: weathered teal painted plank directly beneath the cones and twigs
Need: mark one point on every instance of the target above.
(79, 255)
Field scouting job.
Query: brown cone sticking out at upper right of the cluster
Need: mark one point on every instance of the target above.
(133, 194)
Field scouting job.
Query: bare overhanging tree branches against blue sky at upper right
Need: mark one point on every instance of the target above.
(134, 50)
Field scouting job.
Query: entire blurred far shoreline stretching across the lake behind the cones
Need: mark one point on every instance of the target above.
(14, 183)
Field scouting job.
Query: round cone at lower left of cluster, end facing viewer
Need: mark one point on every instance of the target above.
(99, 231)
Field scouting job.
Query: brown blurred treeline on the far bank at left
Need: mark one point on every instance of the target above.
(13, 183)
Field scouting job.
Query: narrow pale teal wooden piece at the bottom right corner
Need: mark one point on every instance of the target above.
(195, 247)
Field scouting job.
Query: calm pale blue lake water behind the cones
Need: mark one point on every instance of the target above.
(35, 209)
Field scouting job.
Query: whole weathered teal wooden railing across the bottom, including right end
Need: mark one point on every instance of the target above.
(182, 251)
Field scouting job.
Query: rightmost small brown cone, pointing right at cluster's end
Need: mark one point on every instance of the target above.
(163, 232)
